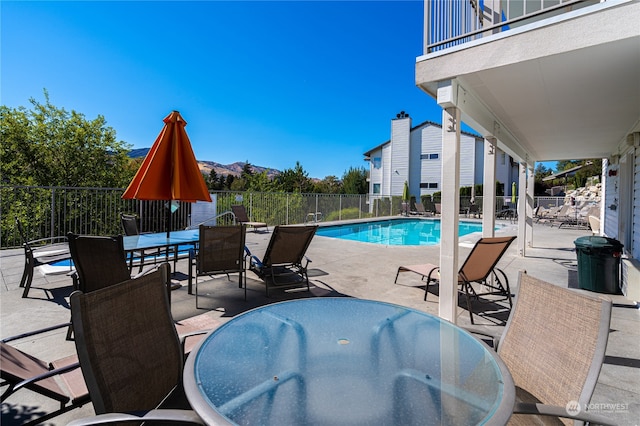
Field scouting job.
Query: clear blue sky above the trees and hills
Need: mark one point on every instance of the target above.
(267, 82)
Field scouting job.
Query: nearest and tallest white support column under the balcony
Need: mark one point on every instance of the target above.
(450, 216)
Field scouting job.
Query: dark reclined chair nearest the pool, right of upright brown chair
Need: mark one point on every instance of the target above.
(284, 263)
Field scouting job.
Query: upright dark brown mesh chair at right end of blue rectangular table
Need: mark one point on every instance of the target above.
(220, 251)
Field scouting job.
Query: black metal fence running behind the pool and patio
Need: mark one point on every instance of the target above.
(55, 211)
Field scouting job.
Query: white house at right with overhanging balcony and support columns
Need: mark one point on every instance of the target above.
(542, 81)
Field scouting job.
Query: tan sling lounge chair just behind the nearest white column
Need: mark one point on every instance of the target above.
(479, 267)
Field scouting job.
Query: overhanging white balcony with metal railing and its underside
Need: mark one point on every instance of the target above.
(548, 80)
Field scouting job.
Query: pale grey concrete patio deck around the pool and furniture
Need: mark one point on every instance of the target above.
(339, 267)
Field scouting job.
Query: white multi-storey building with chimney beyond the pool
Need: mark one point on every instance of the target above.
(414, 154)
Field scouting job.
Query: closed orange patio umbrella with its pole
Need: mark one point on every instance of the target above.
(170, 170)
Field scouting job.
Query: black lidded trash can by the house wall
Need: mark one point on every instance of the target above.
(599, 264)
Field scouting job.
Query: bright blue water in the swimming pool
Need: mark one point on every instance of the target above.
(396, 232)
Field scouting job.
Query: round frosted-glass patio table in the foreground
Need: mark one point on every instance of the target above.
(345, 361)
